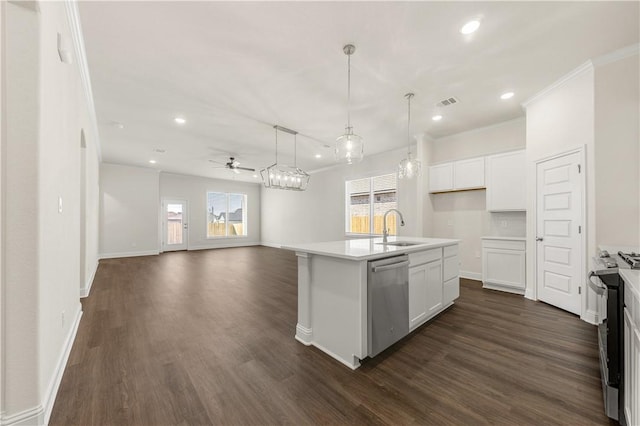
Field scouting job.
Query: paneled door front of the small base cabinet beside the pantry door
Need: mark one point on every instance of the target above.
(503, 267)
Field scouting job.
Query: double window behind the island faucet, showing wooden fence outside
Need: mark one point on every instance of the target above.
(371, 198)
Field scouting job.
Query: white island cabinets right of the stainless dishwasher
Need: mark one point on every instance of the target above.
(431, 286)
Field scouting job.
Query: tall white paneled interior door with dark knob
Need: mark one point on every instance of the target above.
(559, 213)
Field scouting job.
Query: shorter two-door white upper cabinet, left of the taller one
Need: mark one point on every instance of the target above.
(457, 175)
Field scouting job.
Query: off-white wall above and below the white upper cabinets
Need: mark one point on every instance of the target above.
(463, 214)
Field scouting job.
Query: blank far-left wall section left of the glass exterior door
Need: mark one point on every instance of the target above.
(129, 211)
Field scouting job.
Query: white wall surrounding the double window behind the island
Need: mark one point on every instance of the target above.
(318, 214)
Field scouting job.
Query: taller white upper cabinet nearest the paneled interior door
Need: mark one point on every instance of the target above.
(506, 182)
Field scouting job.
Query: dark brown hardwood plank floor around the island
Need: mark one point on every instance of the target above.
(207, 337)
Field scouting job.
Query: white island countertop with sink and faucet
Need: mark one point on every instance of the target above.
(368, 248)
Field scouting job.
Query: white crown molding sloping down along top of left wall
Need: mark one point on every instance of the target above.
(73, 17)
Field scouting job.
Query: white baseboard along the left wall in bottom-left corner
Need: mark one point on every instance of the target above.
(40, 414)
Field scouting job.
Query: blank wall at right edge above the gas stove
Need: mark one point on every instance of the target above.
(617, 153)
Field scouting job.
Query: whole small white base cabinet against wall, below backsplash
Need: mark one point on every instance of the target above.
(503, 264)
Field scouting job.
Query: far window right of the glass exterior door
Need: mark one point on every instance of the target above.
(226, 215)
